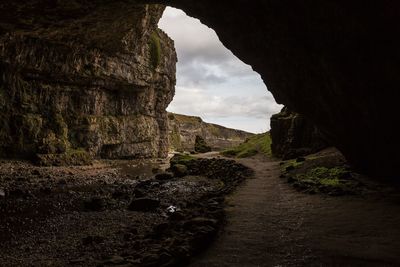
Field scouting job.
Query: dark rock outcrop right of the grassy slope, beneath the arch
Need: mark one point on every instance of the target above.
(293, 135)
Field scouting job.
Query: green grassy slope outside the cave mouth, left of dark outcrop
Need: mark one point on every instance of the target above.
(259, 143)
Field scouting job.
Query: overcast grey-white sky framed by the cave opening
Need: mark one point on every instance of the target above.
(211, 82)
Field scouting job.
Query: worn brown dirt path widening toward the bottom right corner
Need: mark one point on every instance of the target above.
(271, 224)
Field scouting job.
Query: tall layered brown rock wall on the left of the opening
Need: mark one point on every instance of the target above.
(95, 81)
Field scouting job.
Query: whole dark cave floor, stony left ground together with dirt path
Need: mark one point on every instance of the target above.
(81, 216)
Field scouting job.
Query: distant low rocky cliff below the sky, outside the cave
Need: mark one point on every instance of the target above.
(183, 131)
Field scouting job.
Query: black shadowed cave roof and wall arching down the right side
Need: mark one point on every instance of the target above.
(335, 62)
